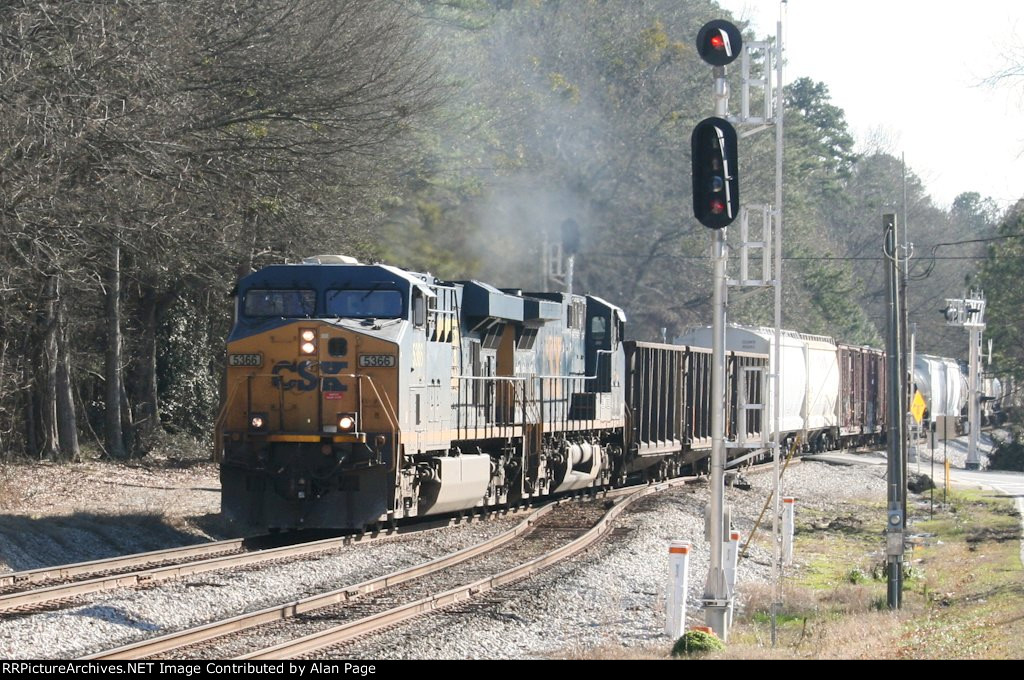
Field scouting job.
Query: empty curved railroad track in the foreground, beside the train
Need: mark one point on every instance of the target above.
(546, 536)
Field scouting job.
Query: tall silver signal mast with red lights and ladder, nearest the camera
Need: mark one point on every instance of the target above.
(716, 205)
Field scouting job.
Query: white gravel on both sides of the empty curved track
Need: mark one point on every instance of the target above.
(615, 592)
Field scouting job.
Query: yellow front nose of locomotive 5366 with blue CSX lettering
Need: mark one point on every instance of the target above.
(309, 413)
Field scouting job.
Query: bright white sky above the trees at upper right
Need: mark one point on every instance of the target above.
(910, 75)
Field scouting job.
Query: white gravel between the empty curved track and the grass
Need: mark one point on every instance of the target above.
(615, 593)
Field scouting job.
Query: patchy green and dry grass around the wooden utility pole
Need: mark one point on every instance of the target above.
(963, 600)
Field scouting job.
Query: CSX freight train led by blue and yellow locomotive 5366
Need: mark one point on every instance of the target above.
(359, 395)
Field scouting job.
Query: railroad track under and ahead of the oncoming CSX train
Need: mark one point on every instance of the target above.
(25, 592)
